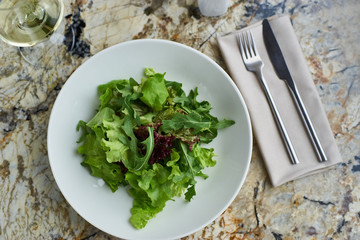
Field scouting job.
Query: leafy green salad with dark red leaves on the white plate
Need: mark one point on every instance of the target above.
(147, 136)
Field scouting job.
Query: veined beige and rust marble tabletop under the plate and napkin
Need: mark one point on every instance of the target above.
(321, 206)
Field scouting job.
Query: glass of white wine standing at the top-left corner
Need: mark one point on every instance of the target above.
(29, 25)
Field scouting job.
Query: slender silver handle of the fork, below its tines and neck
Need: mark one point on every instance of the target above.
(288, 144)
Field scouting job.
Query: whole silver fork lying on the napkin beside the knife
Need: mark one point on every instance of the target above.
(253, 63)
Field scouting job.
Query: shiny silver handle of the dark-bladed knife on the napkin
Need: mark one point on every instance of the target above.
(309, 126)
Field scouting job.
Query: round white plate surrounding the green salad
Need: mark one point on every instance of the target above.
(78, 100)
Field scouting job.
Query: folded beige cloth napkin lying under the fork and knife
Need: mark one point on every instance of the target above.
(265, 130)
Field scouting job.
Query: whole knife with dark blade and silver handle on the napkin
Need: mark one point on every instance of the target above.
(282, 71)
